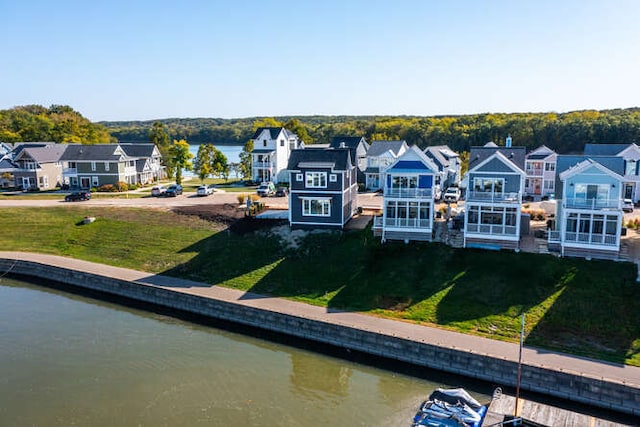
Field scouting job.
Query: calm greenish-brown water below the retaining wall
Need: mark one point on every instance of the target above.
(70, 360)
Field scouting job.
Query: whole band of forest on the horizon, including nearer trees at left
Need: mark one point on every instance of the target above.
(563, 132)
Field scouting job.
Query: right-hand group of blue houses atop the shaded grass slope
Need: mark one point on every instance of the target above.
(589, 190)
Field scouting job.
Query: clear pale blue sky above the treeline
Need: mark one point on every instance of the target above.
(141, 60)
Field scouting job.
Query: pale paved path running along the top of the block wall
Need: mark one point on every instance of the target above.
(499, 349)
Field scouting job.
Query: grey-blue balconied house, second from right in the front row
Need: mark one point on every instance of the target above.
(494, 197)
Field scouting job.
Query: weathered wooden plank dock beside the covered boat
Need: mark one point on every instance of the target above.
(538, 414)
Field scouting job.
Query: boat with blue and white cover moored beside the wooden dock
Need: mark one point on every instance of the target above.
(450, 408)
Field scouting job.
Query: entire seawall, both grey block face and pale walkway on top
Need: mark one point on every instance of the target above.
(599, 384)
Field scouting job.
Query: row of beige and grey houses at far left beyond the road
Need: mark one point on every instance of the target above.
(47, 165)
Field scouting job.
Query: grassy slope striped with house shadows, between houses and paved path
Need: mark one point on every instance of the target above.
(582, 307)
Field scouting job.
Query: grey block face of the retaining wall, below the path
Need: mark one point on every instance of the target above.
(593, 391)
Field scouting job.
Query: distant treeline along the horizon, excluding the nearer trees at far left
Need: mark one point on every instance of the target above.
(565, 132)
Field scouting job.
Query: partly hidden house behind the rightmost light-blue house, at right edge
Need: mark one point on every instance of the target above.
(630, 153)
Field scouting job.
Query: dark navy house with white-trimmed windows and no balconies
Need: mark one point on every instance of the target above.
(323, 188)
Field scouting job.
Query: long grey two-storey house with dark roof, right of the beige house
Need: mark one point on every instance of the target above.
(92, 166)
